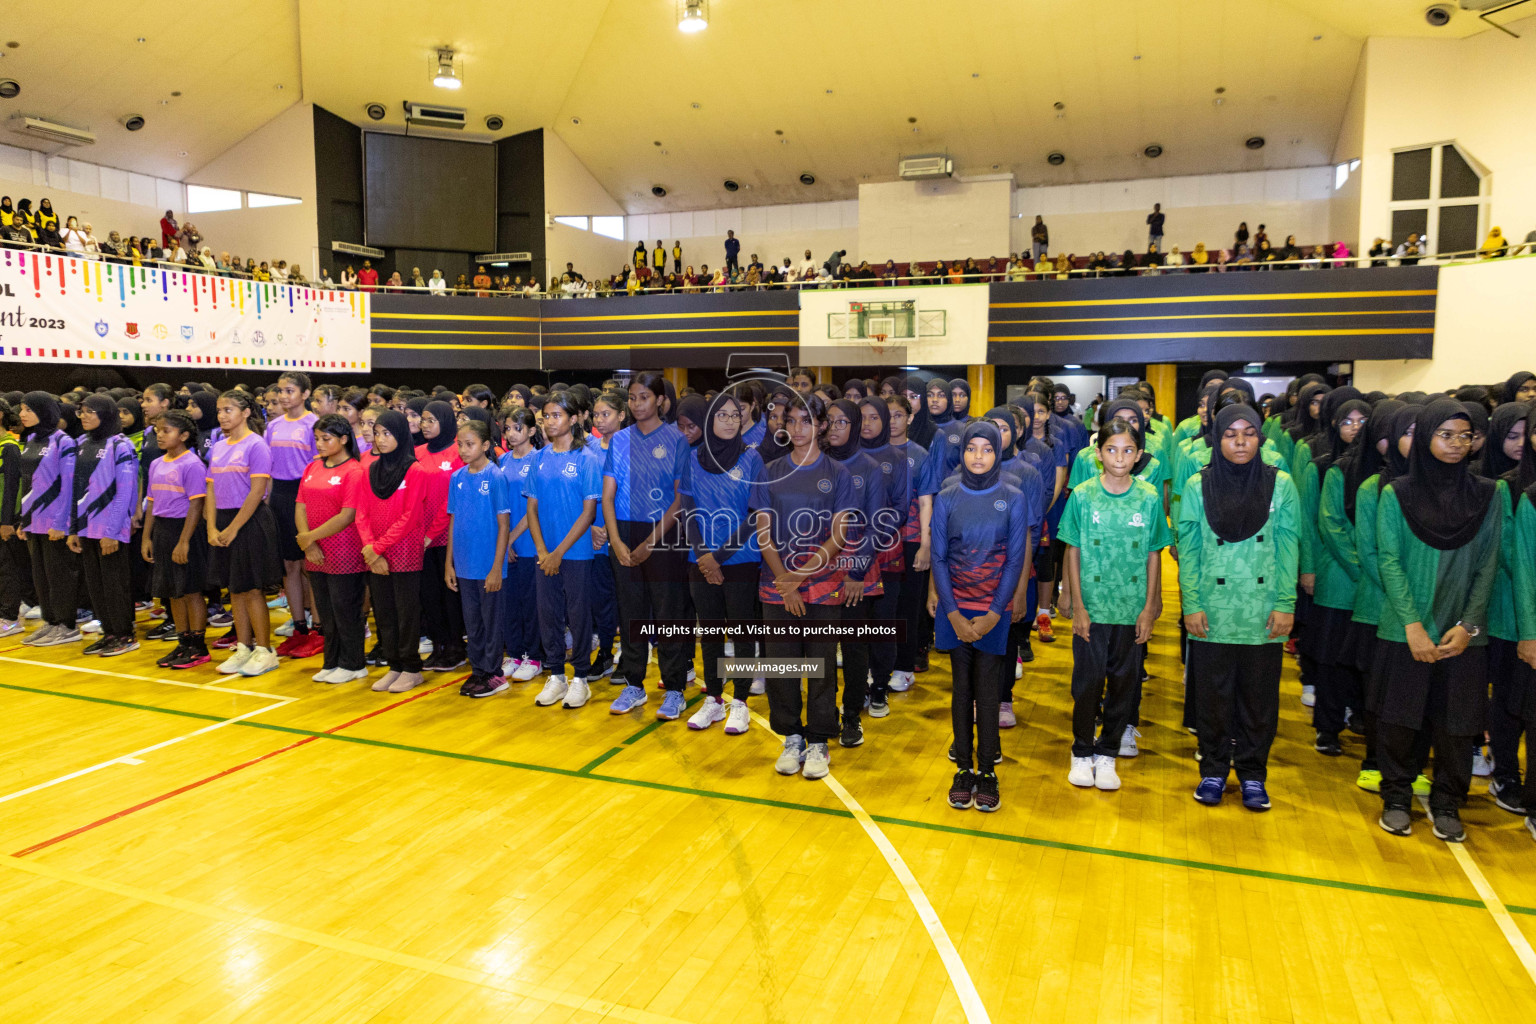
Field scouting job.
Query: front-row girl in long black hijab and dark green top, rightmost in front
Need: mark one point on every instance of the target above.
(1438, 549)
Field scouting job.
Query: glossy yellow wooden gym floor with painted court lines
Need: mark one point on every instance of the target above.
(187, 847)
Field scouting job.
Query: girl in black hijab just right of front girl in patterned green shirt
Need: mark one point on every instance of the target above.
(1326, 578)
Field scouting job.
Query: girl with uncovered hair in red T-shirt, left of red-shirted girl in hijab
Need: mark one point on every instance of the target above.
(325, 515)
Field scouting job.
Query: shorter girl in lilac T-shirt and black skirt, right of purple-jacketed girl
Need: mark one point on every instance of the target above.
(174, 543)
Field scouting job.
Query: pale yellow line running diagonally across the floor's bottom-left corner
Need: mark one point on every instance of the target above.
(598, 1008)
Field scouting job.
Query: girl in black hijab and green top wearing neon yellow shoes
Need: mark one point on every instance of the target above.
(1391, 437)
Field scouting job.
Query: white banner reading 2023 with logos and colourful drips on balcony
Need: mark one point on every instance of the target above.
(94, 312)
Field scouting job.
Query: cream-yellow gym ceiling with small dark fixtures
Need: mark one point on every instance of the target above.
(839, 81)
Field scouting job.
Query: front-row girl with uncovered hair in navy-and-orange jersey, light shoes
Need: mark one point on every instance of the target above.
(804, 518)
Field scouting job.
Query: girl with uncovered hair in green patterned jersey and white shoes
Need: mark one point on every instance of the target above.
(1114, 532)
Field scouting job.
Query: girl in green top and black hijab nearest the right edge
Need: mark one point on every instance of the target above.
(1512, 629)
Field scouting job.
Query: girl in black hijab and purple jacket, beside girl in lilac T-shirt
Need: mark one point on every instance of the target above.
(105, 495)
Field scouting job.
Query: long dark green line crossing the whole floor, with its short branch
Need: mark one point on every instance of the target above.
(789, 805)
